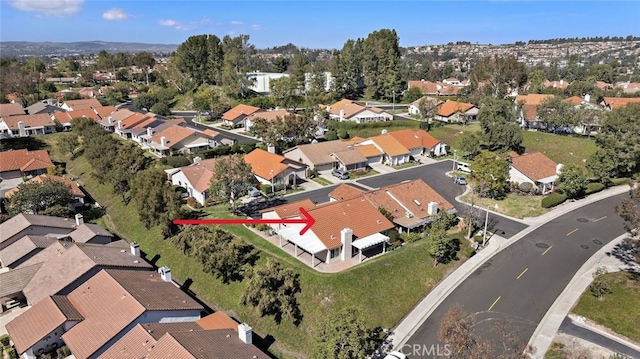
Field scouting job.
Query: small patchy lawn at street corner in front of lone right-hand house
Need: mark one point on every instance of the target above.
(513, 205)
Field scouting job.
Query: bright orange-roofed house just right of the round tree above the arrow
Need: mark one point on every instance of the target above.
(273, 169)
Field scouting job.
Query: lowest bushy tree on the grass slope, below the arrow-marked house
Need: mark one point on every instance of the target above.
(272, 291)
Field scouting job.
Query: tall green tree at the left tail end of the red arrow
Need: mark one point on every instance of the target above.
(156, 201)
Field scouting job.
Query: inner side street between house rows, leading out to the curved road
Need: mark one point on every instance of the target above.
(435, 176)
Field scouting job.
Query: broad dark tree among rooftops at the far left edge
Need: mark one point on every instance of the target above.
(37, 197)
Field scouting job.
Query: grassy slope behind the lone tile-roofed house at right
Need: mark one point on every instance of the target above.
(561, 149)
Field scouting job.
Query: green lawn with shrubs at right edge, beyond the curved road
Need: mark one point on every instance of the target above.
(620, 310)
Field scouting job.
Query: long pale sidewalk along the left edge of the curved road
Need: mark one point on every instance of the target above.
(412, 321)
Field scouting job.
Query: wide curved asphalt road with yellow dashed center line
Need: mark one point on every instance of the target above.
(520, 283)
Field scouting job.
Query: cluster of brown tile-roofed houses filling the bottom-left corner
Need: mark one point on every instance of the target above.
(101, 299)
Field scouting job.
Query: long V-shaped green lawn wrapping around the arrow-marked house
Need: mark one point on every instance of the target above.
(386, 287)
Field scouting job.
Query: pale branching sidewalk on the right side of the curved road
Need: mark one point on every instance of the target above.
(548, 327)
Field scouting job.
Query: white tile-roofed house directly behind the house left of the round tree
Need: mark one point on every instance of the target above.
(178, 139)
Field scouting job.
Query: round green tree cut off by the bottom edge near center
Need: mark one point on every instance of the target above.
(343, 334)
